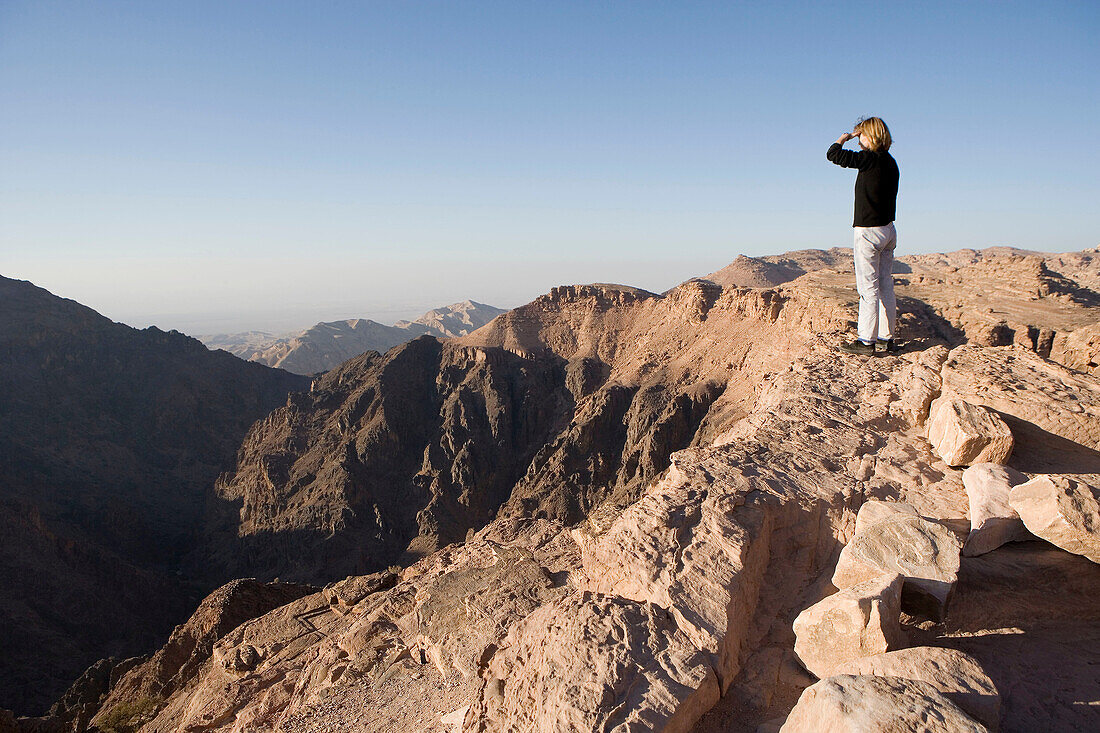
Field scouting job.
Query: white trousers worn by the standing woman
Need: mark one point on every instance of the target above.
(874, 251)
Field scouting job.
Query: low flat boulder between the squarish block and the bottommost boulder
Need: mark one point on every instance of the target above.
(955, 674)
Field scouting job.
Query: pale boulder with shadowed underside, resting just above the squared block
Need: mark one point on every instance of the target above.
(893, 541)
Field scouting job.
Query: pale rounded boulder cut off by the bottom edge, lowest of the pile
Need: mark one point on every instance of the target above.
(863, 704)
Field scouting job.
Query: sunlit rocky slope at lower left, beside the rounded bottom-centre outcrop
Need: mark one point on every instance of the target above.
(389, 657)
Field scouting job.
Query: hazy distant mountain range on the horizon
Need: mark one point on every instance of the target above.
(328, 345)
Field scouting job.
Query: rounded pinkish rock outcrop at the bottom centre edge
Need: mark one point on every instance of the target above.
(555, 671)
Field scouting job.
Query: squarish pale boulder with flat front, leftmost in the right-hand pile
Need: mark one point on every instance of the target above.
(857, 622)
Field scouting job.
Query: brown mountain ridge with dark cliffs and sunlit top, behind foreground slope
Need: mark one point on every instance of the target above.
(575, 400)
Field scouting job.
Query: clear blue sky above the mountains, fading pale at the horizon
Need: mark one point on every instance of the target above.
(217, 167)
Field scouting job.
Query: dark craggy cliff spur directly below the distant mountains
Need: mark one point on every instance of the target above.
(406, 452)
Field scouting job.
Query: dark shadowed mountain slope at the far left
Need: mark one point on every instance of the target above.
(111, 440)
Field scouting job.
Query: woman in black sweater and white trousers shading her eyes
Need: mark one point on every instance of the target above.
(876, 201)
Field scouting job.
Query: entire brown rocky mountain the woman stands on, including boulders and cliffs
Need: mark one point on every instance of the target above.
(624, 511)
